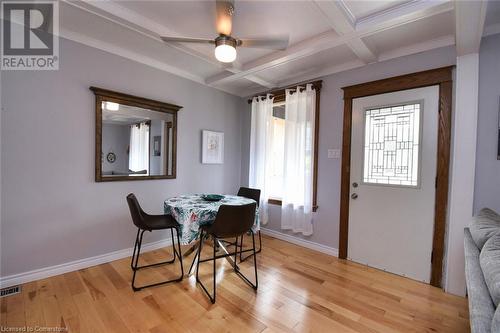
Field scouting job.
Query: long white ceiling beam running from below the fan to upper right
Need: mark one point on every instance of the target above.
(411, 12)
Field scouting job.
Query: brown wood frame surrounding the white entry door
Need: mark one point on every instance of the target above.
(441, 77)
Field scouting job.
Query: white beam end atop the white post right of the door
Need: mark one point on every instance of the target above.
(469, 25)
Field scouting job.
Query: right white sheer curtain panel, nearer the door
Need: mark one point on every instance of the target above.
(296, 210)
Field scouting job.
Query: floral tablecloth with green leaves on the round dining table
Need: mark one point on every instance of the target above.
(191, 211)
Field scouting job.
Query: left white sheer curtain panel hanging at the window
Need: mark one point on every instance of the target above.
(260, 149)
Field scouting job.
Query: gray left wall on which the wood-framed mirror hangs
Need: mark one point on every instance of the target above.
(53, 211)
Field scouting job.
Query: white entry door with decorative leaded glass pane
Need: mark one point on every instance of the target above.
(393, 181)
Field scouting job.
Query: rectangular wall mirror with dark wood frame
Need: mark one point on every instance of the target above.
(135, 137)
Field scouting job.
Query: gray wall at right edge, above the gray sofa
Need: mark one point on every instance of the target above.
(487, 182)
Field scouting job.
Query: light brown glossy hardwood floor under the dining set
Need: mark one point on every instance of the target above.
(300, 290)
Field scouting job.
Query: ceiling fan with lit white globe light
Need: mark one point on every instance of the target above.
(225, 44)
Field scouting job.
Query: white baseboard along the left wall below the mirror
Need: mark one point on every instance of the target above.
(42, 273)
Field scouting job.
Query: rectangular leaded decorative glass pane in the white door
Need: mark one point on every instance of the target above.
(392, 144)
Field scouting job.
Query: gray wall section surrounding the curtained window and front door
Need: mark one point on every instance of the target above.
(326, 220)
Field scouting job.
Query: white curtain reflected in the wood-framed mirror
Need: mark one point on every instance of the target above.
(138, 159)
